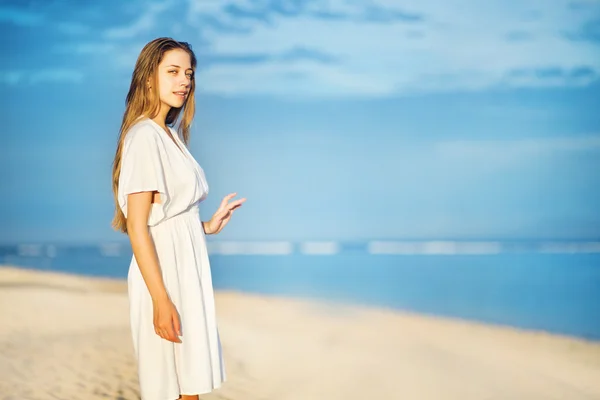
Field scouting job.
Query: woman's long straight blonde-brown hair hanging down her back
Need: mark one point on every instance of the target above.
(138, 103)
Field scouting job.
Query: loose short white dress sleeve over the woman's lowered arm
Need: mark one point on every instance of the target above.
(142, 171)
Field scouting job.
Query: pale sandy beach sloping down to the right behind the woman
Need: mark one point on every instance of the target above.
(67, 337)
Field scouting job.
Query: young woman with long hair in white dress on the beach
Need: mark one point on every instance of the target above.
(158, 186)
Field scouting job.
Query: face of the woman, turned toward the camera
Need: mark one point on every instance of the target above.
(175, 76)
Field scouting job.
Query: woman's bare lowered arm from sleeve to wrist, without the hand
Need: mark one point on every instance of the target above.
(138, 210)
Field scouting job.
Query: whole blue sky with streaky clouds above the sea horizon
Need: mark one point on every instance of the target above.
(337, 120)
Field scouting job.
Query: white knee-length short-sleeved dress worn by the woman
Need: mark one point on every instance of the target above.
(151, 161)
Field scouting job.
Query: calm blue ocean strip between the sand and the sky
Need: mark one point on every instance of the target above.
(554, 288)
